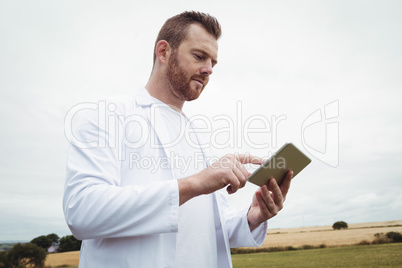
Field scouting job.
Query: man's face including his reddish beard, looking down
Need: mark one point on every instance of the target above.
(190, 65)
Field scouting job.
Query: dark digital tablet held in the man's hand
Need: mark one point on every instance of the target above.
(288, 157)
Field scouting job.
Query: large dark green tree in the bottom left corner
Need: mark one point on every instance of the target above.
(22, 255)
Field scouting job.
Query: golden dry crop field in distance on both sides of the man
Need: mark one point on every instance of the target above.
(295, 237)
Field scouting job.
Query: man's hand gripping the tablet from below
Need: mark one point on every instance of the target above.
(268, 201)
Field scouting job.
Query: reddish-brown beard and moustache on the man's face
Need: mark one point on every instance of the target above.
(177, 78)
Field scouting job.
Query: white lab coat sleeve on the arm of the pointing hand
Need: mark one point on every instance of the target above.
(94, 203)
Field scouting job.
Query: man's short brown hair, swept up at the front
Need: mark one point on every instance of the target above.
(174, 31)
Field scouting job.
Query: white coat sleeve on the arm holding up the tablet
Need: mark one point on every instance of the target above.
(238, 230)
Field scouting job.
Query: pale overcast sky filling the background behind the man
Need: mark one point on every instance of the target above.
(324, 75)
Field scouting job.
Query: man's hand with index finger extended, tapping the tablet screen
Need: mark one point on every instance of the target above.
(227, 171)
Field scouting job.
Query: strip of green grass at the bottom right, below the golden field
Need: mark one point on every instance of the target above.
(383, 255)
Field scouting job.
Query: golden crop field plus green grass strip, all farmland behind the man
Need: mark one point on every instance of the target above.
(374, 255)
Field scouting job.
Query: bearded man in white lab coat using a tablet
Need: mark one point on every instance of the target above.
(132, 214)
